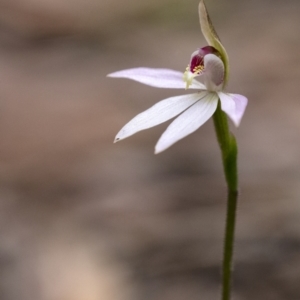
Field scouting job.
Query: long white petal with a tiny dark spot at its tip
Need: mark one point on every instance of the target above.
(158, 113)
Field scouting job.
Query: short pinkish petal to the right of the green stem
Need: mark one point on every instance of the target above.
(234, 106)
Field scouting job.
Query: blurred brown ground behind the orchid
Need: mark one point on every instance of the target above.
(83, 219)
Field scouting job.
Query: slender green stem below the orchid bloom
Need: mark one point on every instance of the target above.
(228, 147)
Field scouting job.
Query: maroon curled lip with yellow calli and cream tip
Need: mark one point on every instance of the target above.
(196, 65)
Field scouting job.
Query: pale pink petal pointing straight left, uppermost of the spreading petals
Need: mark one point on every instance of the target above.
(161, 78)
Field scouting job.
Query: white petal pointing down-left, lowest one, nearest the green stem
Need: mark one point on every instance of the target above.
(188, 122)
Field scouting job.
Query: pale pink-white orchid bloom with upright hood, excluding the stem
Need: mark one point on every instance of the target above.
(210, 64)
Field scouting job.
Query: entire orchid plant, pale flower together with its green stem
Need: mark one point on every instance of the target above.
(211, 65)
